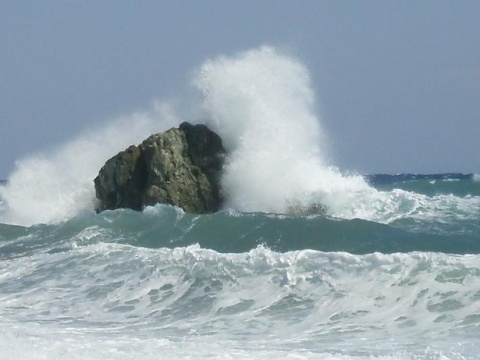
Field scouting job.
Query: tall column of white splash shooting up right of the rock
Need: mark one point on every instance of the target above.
(262, 104)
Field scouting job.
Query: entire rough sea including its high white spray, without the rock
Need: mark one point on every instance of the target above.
(305, 261)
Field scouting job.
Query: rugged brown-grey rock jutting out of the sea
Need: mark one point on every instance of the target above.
(179, 167)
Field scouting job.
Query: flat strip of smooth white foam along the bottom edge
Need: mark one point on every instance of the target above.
(26, 343)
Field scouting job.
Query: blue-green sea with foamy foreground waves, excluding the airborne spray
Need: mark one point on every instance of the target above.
(165, 284)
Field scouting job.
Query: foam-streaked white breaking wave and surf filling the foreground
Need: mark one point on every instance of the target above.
(117, 301)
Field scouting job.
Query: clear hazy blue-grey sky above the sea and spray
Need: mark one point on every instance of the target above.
(397, 83)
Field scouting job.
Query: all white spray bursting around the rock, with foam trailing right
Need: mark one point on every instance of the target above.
(262, 104)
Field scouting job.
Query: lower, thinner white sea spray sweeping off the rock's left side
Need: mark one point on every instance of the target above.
(55, 186)
